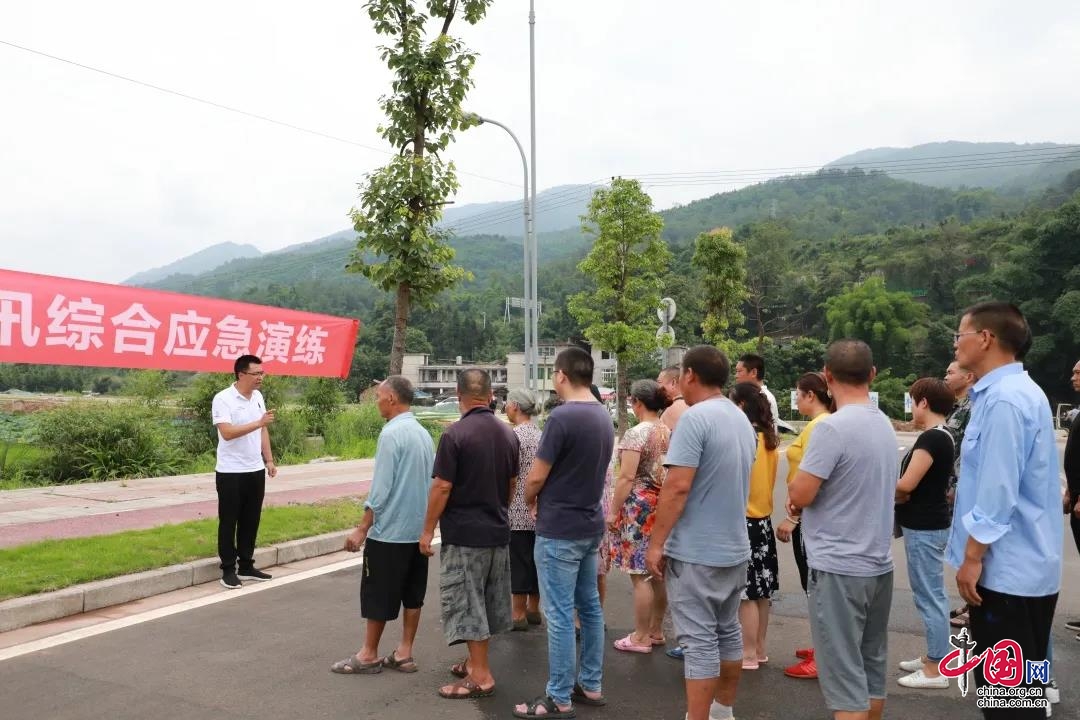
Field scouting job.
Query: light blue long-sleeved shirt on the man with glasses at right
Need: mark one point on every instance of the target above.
(1009, 496)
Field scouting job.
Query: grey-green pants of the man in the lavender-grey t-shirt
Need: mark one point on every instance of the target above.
(849, 619)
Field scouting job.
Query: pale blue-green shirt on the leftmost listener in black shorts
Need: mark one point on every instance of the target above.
(399, 496)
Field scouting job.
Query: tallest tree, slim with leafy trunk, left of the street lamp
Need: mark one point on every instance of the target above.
(400, 250)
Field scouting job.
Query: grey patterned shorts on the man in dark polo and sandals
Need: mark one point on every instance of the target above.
(475, 585)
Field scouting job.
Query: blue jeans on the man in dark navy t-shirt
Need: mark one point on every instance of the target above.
(568, 574)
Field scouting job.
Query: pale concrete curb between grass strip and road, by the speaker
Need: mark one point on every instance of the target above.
(24, 612)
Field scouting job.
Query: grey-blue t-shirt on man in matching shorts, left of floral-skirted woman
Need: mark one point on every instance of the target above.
(715, 438)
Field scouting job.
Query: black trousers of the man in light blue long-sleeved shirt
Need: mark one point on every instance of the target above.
(1025, 620)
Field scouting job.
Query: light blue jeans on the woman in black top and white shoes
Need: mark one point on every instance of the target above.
(926, 561)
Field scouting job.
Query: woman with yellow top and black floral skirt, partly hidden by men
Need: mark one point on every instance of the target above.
(763, 573)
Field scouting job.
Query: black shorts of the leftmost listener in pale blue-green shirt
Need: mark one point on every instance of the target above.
(395, 577)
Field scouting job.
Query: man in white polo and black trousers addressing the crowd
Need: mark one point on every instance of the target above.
(244, 461)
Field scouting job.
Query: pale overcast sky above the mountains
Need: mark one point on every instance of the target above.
(101, 179)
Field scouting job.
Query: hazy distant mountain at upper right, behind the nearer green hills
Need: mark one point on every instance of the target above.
(1008, 167)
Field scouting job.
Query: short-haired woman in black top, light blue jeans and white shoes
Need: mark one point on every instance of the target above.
(924, 514)
